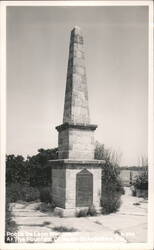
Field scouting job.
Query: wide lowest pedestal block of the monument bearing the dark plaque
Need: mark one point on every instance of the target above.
(76, 185)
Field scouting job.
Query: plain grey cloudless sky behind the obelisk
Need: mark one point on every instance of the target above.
(116, 52)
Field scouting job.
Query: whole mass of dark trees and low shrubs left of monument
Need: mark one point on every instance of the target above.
(25, 177)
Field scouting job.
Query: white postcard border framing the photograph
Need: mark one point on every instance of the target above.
(150, 244)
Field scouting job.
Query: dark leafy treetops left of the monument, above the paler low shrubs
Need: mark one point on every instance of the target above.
(34, 171)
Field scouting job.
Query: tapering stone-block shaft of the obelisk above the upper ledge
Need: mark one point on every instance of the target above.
(76, 108)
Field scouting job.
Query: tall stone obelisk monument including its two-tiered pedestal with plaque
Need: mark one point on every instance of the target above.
(76, 176)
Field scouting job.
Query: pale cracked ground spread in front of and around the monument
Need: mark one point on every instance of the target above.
(129, 224)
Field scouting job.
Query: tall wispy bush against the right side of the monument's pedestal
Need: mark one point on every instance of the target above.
(112, 187)
